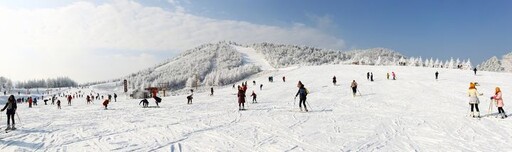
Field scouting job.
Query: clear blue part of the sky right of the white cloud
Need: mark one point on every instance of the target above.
(459, 28)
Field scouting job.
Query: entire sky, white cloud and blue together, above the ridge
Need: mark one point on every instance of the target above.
(134, 35)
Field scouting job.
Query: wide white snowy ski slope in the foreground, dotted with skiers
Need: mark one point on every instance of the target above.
(413, 113)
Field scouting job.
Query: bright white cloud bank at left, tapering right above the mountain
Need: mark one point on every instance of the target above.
(75, 40)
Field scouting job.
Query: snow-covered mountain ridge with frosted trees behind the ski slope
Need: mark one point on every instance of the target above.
(222, 63)
